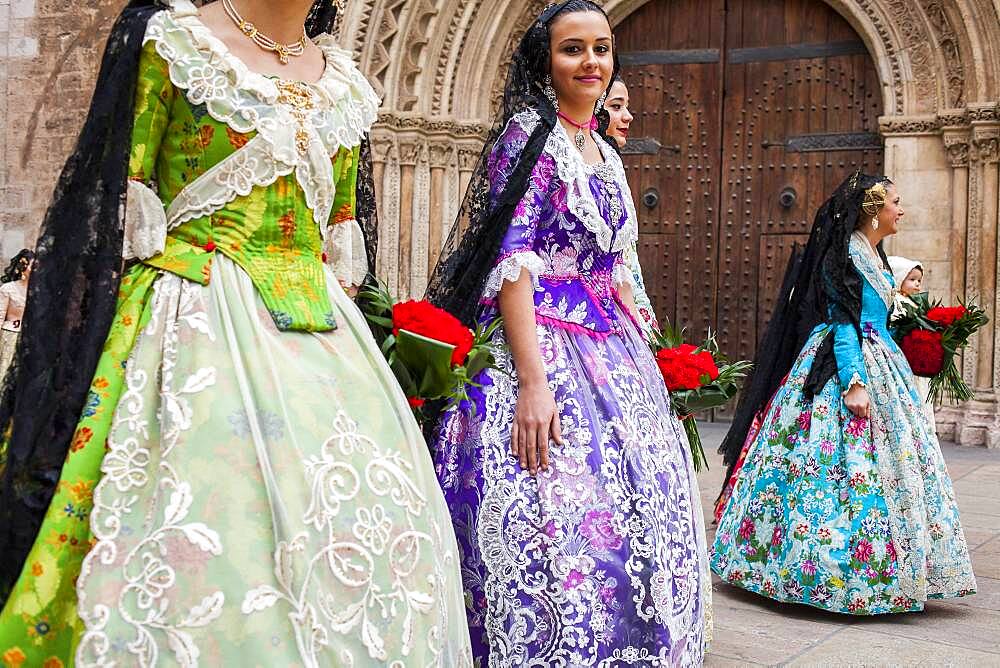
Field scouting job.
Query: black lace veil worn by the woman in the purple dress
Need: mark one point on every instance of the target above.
(470, 251)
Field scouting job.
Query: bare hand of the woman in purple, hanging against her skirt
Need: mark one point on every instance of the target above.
(536, 422)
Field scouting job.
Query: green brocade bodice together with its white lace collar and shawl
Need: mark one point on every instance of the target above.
(190, 117)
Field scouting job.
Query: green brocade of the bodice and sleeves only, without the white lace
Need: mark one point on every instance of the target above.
(270, 232)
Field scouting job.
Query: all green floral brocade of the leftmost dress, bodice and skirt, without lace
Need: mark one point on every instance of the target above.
(270, 233)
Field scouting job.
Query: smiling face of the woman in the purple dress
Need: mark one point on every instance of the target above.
(582, 60)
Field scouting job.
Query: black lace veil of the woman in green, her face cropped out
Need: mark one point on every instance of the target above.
(73, 289)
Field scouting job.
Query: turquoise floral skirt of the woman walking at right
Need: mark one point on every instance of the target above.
(843, 513)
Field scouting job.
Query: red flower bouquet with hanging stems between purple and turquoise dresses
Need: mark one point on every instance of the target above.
(699, 378)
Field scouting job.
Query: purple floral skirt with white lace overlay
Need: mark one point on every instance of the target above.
(601, 560)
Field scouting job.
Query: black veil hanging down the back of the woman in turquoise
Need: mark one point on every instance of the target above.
(821, 284)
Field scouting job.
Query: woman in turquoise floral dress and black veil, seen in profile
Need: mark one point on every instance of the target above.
(843, 501)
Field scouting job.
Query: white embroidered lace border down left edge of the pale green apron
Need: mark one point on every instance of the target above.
(129, 465)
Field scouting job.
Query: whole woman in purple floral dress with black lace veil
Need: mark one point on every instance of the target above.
(568, 476)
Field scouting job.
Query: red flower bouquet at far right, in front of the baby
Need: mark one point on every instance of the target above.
(931, 336)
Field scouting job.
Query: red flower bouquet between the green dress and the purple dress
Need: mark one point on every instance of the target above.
(431, 353)
